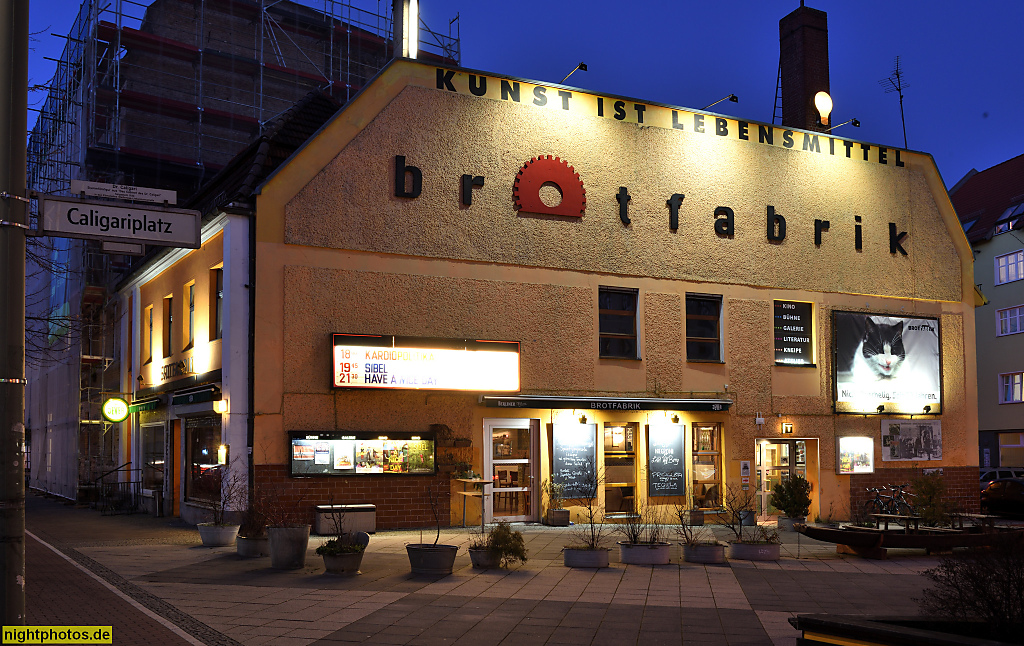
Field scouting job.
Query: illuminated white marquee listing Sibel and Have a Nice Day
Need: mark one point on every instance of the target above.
(414, 363)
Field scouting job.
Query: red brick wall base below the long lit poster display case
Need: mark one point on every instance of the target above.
(402, 501)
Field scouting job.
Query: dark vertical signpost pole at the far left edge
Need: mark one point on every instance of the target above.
(14, 98)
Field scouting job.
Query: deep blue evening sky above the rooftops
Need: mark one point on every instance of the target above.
(963, 61)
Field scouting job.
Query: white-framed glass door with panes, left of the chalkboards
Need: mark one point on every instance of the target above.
(513, 463)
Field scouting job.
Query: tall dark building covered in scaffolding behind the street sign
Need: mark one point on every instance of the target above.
(161, 96)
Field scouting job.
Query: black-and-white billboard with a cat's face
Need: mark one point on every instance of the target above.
(888, 362)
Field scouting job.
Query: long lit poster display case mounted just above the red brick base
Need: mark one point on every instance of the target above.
(345, 454)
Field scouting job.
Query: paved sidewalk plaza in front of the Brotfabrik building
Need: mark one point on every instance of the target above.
(210, 596)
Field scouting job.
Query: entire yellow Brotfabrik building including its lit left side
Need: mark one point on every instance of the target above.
(563, 283)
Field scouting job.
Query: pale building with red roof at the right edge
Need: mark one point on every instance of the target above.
(991, 206)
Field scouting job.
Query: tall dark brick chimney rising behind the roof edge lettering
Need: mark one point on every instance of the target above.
(803, 41)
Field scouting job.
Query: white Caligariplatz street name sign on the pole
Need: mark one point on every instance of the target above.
(119, 223)
